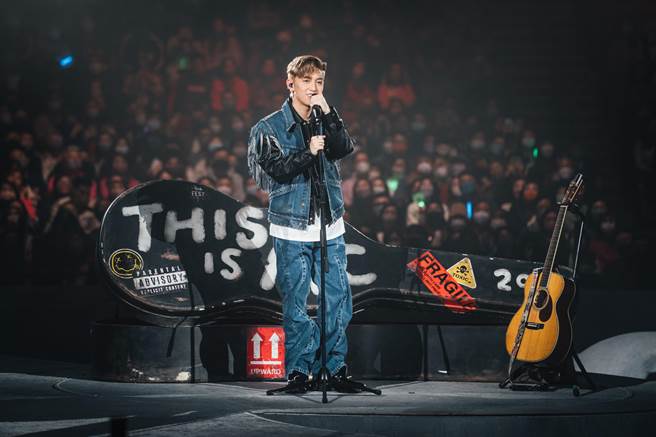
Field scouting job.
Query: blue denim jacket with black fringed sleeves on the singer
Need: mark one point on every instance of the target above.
(279, 161)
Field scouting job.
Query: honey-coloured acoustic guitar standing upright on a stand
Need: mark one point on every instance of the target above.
(541, 330)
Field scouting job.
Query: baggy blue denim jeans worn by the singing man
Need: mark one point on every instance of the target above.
(298, 262)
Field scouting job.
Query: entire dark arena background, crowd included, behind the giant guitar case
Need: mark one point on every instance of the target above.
(492, 104)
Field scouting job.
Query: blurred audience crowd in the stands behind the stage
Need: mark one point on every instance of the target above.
(440, 162)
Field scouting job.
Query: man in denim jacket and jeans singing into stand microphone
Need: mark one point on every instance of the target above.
(283, 158)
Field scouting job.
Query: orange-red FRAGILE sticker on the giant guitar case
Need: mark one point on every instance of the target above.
(440, 282)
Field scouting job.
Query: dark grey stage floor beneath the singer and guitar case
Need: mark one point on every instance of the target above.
(57, 398)
